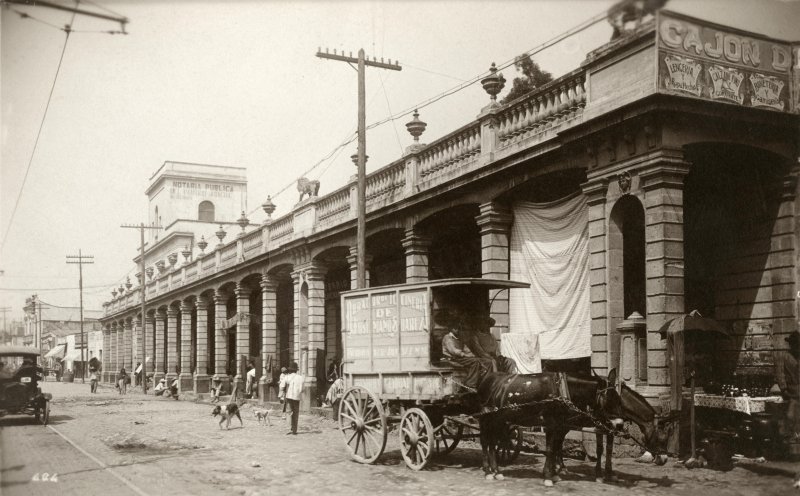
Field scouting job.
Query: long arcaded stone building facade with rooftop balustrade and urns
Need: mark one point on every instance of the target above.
(680, 137)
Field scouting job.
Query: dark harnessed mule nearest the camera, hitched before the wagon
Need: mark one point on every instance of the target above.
(537, 399)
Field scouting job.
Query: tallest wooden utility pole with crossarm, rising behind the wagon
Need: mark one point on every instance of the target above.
(361, 236)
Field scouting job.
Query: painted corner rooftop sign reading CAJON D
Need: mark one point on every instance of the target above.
(712, 62)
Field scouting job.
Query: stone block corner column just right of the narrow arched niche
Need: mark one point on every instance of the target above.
(663, 185)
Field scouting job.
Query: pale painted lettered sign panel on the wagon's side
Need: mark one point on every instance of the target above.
(386, 331)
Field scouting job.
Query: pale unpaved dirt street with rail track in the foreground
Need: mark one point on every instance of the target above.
(109, 444)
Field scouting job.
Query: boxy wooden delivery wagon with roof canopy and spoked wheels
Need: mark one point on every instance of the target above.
(395, 374)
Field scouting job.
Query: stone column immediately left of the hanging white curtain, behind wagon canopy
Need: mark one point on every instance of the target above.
(494, 222)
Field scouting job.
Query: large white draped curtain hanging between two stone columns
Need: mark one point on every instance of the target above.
(550, 250)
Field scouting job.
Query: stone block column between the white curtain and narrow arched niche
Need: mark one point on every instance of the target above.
(595, 191)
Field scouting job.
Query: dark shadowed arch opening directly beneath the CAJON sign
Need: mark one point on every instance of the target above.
(738, 241)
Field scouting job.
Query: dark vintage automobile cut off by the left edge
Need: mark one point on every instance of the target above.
(20, 392)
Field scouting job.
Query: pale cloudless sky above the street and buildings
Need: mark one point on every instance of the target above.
(238, 83)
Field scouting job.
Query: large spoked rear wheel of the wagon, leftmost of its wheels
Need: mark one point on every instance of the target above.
(363, 424)
